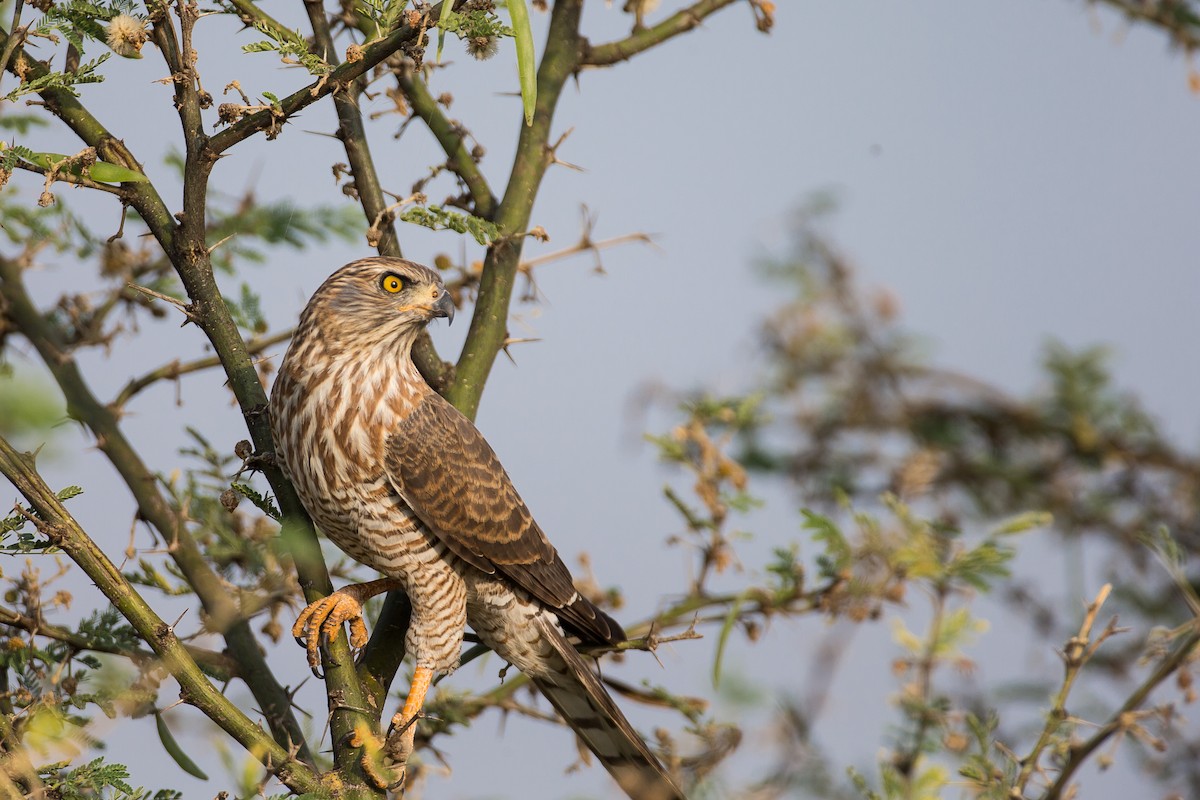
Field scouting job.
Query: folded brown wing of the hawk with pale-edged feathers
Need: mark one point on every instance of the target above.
(451, 478)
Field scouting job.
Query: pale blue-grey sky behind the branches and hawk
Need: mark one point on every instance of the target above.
(1011, 172)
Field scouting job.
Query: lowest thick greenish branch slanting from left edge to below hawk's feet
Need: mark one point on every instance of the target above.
(64, 532)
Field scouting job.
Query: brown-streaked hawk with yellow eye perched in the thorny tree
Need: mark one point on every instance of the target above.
(406, 485)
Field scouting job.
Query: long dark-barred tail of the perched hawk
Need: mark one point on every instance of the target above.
(587, 707)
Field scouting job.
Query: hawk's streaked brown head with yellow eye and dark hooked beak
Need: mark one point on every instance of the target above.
(377, 299)
